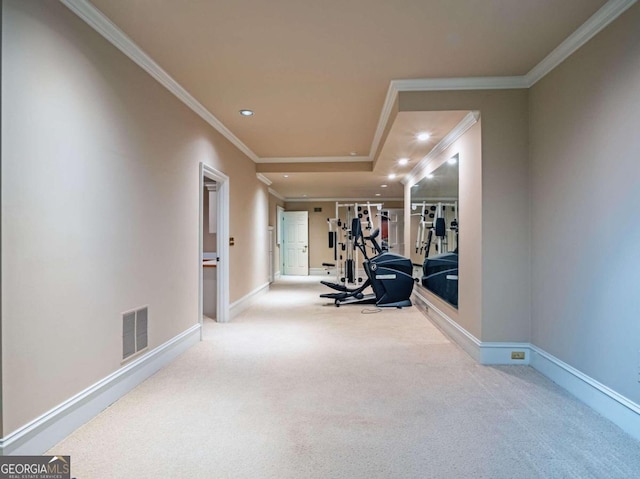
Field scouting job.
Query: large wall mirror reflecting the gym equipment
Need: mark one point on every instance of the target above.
(434, 231)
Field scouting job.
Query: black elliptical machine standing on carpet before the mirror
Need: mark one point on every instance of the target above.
(388, 274)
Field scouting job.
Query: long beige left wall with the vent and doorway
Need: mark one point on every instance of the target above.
(100, 204)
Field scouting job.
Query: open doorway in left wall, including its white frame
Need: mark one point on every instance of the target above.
(213, 254)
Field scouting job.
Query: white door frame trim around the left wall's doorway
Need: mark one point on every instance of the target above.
(222, 242)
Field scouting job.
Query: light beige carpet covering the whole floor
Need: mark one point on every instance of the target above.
(295, 388)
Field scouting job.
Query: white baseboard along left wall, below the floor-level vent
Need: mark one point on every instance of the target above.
(51, 427)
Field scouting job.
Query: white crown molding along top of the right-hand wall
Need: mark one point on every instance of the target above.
(599, 20)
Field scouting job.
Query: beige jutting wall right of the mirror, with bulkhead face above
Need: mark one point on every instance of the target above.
(494, 209)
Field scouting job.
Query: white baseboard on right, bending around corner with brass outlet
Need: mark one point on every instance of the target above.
(615, 407)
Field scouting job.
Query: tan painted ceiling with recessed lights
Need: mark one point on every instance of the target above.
(317, 73)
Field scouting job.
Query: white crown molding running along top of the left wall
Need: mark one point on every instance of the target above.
(105, 27)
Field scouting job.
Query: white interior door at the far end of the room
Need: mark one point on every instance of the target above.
(296, 243)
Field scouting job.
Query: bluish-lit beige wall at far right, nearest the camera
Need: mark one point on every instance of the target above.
(585, 151)
